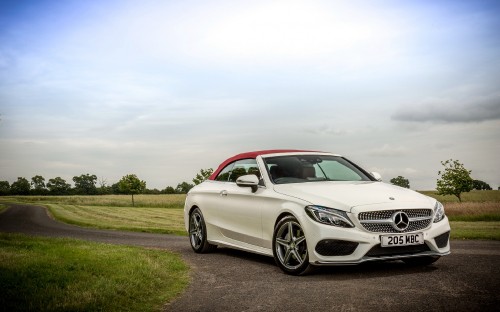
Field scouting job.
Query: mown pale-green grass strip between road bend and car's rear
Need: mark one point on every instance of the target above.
(151, 220)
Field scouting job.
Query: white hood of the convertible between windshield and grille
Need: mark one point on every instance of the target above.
(348, 195)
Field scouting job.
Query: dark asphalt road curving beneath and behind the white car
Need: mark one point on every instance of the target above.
(228, 280)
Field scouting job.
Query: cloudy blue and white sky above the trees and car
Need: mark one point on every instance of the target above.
(162, 89)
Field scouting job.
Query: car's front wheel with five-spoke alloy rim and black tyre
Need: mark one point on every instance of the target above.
(290, 247)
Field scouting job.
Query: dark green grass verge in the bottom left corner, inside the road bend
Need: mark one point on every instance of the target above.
(41, 274)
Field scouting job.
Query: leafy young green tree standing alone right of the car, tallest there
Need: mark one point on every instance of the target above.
(455, 179)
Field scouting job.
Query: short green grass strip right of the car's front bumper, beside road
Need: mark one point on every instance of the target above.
(475, 230)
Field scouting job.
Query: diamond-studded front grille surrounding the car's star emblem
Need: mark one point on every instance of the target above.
(381, 221)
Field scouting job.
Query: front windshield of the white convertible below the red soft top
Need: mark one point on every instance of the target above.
(312, 168)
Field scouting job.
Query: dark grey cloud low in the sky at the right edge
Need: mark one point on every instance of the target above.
(451, 110)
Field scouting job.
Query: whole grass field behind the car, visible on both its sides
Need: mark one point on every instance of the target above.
(163, 213)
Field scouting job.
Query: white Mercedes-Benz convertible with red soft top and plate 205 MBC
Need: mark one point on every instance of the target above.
(310, 209)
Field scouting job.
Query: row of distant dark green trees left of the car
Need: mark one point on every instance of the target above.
(89, 184)
